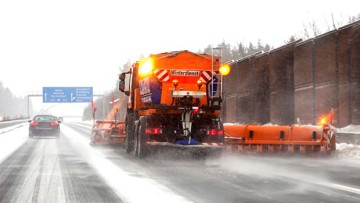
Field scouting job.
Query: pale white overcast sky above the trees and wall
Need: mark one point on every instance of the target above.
(84, 42)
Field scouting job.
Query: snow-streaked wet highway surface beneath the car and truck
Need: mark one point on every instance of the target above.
(68, 169)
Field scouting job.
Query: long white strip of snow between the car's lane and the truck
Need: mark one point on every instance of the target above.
(129, 187)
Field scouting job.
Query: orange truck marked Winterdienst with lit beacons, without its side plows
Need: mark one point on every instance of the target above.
(174, 100)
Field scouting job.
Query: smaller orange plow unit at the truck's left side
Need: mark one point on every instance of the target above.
(108, 132)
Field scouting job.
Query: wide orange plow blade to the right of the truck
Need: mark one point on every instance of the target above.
(301, 139)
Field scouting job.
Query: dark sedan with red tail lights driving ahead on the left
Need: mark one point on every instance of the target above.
(44, 125)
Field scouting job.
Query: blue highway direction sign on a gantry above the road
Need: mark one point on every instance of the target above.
(67, 94)
